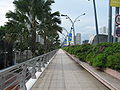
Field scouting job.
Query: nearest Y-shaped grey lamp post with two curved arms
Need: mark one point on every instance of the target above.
(73, 24)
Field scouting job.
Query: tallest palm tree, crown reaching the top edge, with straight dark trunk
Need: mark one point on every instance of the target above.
(33, 9)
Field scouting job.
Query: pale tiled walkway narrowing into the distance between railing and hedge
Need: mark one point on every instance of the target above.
(65, 74)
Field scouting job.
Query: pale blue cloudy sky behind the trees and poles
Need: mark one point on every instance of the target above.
(72, 8)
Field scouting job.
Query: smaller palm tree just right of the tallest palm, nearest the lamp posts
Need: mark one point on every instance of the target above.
(49, 28)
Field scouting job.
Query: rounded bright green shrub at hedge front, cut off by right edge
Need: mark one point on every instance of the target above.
(113, 61)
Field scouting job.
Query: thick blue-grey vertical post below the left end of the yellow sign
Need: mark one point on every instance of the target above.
(110, 24)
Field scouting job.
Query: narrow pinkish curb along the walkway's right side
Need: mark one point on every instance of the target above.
(102, 80)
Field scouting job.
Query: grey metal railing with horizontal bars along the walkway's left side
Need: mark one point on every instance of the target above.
(15, 77)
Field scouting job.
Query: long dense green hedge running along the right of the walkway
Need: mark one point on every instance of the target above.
(100, 55)
